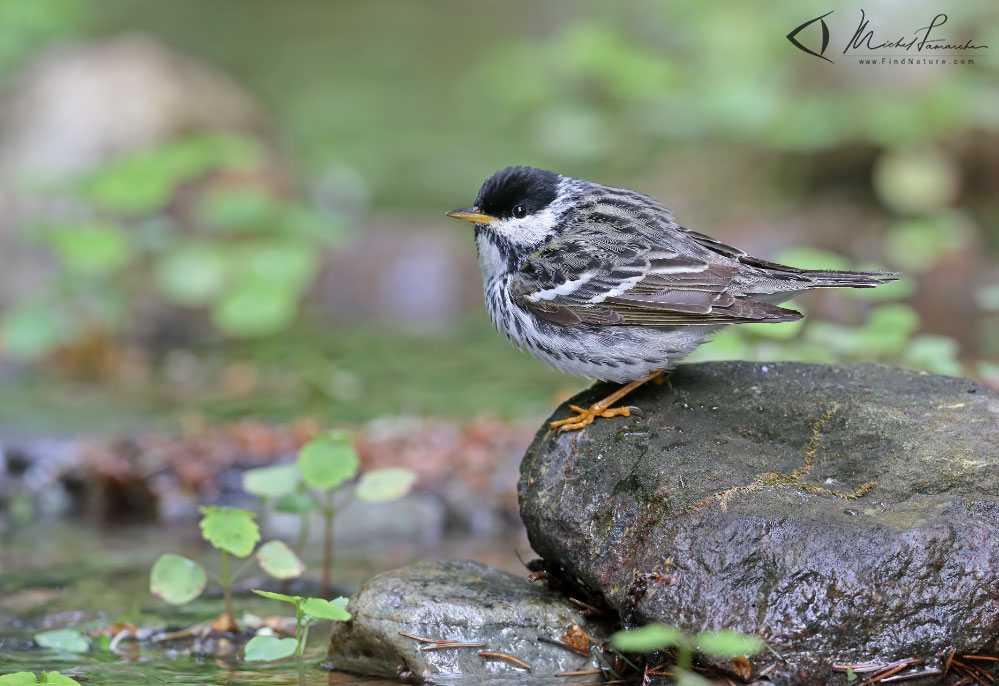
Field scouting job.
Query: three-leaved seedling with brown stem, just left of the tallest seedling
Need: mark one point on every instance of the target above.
(178, 580)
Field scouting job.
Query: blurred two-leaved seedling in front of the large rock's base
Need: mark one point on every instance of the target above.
(724, 644)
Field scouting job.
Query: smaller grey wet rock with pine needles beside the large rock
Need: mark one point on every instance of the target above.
(466, 602)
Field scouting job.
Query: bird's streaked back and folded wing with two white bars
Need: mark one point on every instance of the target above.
(627, 263)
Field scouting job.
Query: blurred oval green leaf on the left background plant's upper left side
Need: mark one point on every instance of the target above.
(89, 248)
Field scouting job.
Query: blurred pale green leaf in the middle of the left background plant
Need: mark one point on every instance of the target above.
(193, 274)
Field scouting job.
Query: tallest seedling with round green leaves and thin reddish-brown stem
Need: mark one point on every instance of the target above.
(324, 465)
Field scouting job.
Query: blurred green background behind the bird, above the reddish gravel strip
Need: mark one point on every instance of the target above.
(231, 209)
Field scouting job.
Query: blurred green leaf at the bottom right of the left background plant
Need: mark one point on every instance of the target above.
(255, 308)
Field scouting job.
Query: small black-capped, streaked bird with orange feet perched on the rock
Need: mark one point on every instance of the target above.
(601, 282)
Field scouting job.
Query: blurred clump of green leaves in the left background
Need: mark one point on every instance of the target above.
(160, 225)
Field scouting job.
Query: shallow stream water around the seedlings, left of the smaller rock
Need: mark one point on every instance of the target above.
(78, 576)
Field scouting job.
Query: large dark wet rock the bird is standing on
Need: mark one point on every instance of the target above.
(844, 513)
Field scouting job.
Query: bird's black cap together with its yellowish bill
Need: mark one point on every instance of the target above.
(513, 193)
